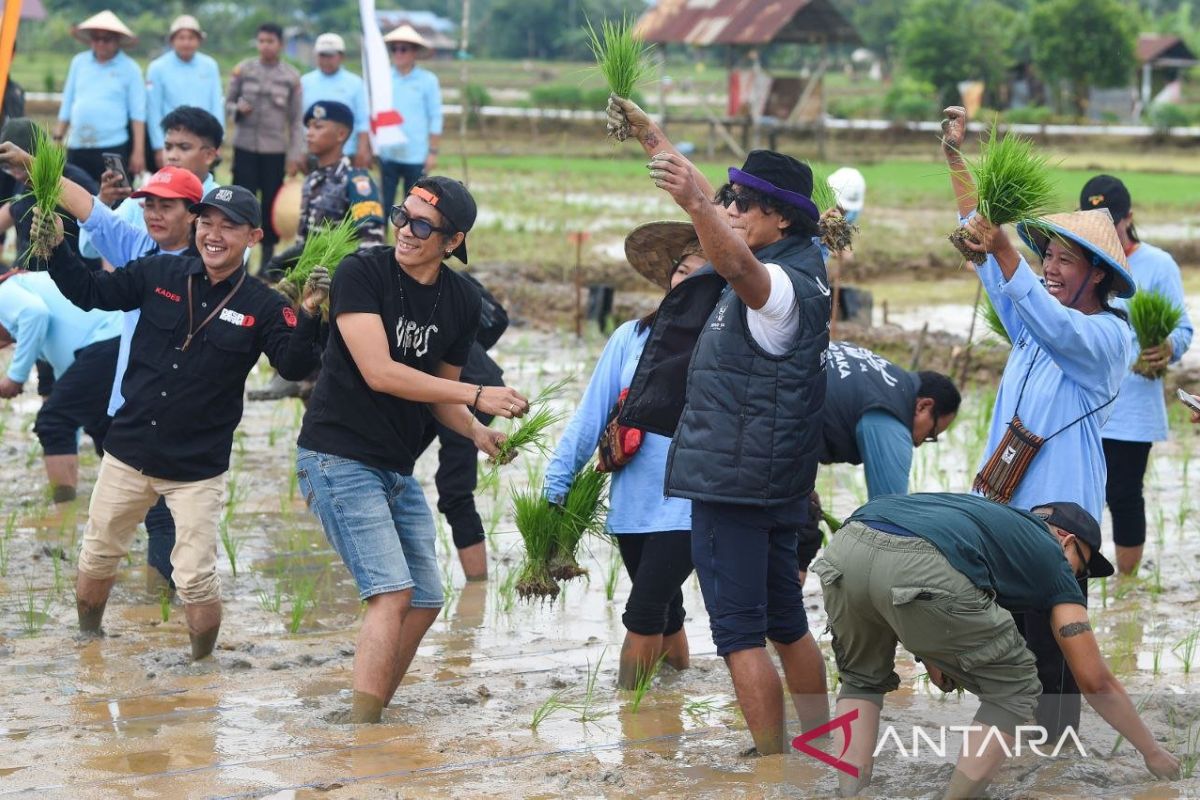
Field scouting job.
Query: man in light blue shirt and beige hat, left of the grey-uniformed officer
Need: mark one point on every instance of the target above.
(182, 77)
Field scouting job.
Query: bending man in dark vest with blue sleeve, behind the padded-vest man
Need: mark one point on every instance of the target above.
(875, 414)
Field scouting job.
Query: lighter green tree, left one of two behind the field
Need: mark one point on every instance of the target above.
(947, 41)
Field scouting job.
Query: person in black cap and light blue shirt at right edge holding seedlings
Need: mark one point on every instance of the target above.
(1139, 414)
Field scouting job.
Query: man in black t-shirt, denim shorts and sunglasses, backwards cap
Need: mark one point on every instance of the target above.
(401, 328)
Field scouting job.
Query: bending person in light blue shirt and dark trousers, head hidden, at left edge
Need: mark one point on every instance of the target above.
(81, 346)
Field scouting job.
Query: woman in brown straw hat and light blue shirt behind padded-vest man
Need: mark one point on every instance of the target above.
(651, 531)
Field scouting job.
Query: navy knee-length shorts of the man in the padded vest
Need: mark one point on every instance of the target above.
(749, 575)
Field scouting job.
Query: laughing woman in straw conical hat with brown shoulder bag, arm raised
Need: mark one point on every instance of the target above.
(1071, 351)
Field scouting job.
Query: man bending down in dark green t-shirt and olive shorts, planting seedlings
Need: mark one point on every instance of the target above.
(940, 574)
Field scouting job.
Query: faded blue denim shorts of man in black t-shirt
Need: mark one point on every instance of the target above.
(379, 522)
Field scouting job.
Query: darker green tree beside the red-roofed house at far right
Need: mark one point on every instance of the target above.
(1084, 44)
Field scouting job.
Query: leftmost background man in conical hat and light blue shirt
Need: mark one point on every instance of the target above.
(104, 99)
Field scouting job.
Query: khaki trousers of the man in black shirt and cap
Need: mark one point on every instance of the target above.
(121, 501)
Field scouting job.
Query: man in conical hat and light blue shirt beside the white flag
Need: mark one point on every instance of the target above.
(417, 97)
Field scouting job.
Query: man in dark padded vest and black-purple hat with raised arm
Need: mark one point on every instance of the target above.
(755, 323)
